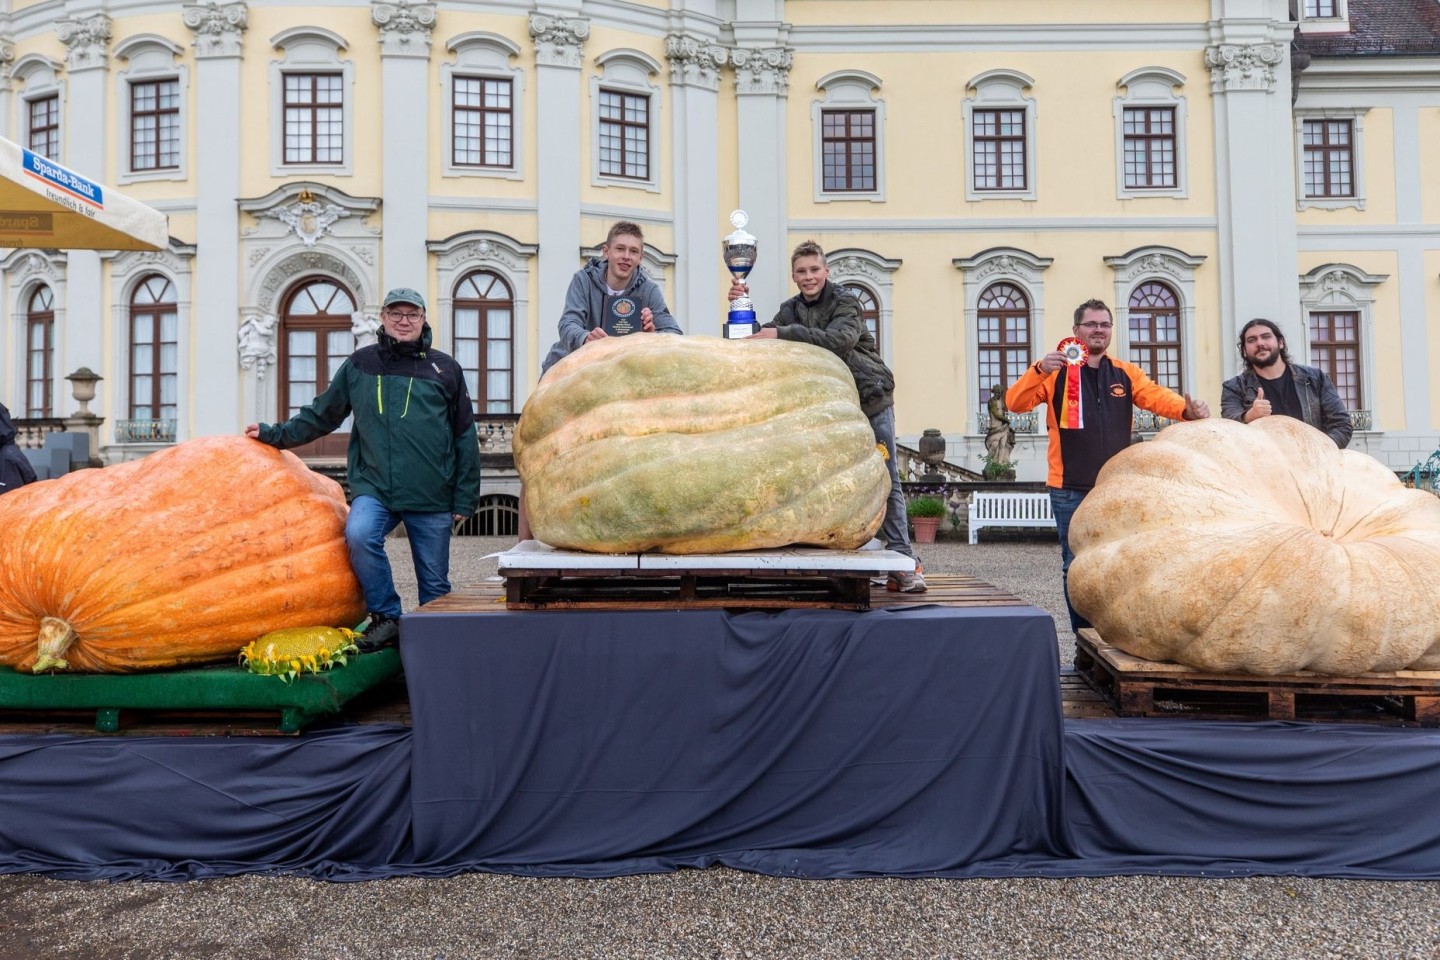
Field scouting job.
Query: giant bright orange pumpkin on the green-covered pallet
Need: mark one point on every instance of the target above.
(181, 558)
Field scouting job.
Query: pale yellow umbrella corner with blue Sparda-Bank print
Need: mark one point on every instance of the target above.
(47, 205)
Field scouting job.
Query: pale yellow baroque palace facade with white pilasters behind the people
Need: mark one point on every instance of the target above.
(974, 168)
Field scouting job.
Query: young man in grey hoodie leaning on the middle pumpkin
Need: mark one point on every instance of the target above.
(613, 280)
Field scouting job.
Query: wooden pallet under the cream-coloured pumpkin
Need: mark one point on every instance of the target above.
(1147, 689)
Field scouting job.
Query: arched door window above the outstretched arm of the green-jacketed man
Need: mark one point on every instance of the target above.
(319, 338)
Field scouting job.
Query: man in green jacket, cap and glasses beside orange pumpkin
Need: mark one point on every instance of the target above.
(414, 456)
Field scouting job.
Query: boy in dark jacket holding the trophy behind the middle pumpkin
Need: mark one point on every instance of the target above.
(829, 317)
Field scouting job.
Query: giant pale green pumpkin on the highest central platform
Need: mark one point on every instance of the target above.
(699, 445)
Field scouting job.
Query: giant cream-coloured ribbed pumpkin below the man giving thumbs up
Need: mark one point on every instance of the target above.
(1259, 549)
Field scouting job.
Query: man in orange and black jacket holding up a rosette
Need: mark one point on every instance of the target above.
(1089, 430)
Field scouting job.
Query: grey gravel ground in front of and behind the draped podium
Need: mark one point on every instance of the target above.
(724, 913)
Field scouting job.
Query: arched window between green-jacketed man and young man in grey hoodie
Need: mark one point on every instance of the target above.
(486, 340)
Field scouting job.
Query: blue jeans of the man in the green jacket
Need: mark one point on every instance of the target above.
(366, 527)
